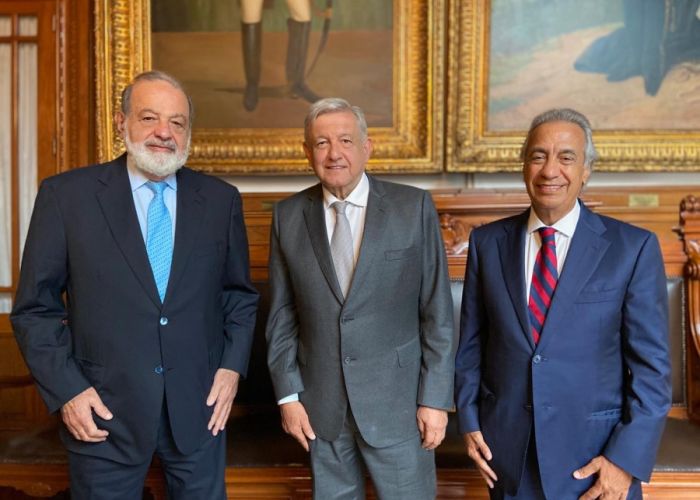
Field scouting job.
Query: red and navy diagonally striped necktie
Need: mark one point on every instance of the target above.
(544, 281)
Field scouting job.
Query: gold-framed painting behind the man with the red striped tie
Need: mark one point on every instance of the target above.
(631, 66)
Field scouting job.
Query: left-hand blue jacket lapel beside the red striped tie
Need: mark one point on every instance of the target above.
(511, 248)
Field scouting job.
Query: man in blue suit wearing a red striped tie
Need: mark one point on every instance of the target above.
(562, 371)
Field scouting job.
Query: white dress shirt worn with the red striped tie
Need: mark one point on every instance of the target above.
(564, 227)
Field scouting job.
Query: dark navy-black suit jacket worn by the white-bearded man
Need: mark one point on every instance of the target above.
(112, 332)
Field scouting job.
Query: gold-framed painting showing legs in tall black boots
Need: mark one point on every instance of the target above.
(385, 56)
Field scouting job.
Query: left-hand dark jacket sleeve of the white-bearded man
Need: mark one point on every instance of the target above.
(39, 316)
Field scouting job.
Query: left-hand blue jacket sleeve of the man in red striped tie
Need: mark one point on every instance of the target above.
(468, 360)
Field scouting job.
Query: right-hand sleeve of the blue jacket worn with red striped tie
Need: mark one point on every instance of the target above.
(635, 440)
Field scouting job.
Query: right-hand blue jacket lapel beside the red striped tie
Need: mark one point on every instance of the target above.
(587, 249)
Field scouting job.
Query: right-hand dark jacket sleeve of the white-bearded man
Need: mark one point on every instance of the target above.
(240, 299)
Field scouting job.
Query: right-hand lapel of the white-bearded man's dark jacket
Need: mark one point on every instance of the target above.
(190, 213)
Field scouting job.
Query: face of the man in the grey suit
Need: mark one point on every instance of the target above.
(336, 152)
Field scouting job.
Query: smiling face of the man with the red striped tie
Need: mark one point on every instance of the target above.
(554, 169)
